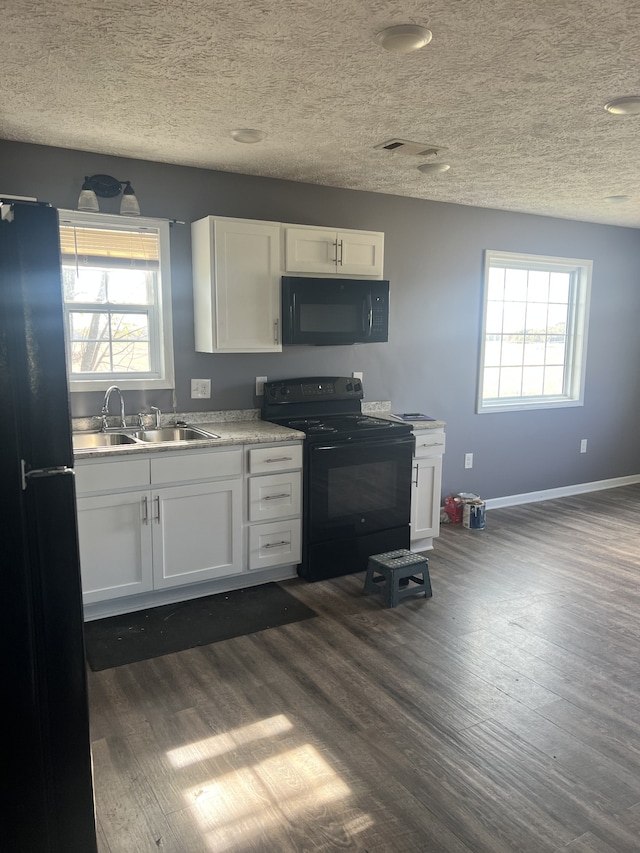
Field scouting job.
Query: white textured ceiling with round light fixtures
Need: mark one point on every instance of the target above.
(513, 90)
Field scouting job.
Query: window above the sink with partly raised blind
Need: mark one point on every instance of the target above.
(117, 305)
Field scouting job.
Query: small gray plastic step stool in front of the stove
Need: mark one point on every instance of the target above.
(394, 567)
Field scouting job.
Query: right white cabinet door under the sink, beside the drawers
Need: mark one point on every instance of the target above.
(196, 532)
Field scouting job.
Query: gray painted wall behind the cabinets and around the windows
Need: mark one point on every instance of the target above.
(433, 258)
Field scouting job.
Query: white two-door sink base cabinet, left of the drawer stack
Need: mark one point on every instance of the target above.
(134, 541)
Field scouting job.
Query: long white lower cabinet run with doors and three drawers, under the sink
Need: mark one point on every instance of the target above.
(173, 519)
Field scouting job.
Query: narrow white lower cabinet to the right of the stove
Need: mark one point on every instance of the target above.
(425, 488)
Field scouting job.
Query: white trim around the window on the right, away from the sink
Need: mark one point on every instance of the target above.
(576, 358)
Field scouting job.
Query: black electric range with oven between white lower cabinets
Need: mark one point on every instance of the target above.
(356, 473)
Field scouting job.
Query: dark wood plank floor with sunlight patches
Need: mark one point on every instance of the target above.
(501, 715)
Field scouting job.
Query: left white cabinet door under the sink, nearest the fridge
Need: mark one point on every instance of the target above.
(114, 533)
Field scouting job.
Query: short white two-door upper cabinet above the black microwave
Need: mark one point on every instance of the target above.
(330, 252)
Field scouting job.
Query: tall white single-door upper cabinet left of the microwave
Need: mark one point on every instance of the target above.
(236, 285)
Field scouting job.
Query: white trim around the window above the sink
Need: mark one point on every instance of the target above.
(162, 347)
